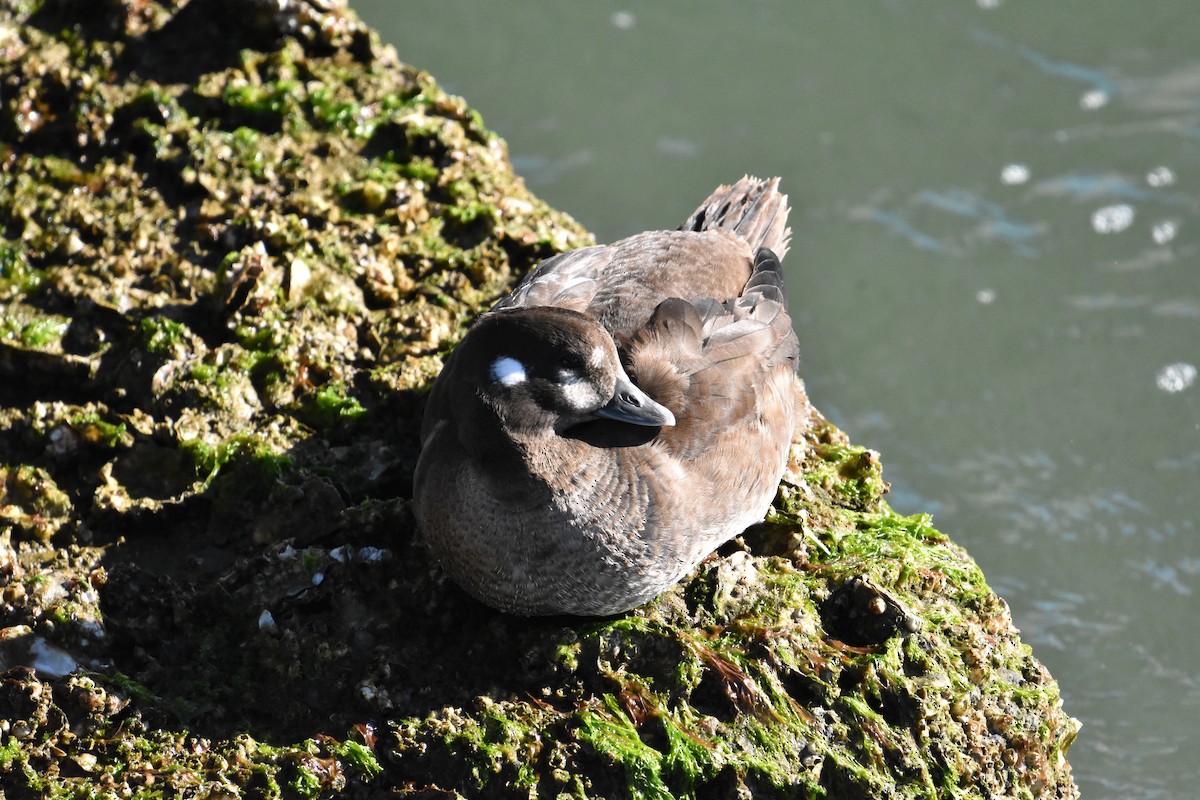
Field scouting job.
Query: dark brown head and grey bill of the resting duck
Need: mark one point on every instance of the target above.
(543, 370)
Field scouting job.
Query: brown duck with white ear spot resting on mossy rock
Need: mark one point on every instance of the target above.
(622, 413)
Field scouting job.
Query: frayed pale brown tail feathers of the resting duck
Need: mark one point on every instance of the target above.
(752, 208)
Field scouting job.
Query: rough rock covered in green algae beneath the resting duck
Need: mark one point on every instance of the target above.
(233, 257)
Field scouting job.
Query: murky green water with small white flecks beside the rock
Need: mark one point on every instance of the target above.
(994, 275)
